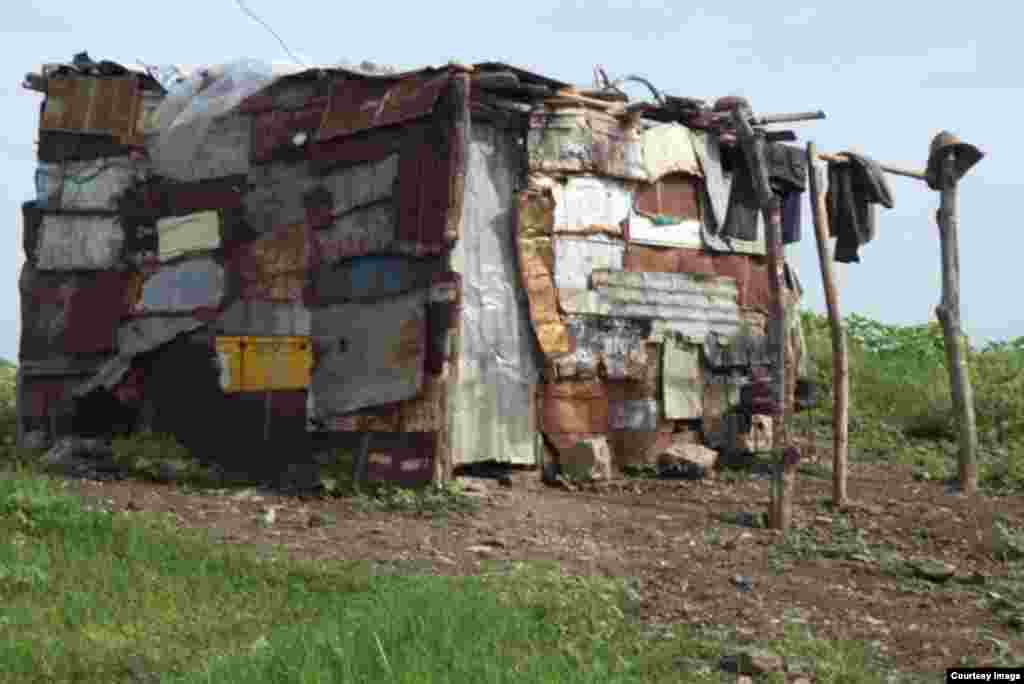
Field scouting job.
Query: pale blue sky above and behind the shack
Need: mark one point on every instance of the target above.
(889, 75)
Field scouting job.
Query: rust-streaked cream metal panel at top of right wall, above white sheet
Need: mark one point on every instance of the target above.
(579, 141)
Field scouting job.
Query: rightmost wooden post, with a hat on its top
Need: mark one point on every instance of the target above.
(950, 317)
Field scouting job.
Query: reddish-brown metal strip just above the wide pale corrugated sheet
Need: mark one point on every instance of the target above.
(750, 273)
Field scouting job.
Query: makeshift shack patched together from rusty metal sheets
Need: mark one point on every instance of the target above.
(466, 264)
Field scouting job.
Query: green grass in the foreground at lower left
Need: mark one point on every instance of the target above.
(91, 596)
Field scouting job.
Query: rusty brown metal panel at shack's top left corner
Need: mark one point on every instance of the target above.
(108, 106)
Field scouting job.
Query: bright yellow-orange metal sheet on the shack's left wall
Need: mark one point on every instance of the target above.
(262, 364)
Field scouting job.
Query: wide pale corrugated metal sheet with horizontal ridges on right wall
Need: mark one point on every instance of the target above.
(694, 306)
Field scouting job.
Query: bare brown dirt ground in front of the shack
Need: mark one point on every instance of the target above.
(667, 535)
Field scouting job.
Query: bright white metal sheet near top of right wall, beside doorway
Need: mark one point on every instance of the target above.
(586, 204)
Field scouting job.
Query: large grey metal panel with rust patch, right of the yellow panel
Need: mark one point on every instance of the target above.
(368, 355)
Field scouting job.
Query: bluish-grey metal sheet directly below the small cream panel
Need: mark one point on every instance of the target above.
(184, 287)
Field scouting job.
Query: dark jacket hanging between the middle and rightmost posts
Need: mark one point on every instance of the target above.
(855, 189)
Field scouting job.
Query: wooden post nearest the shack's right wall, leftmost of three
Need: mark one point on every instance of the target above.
(784, 485)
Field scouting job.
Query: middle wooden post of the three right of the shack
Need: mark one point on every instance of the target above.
(841, 363)
